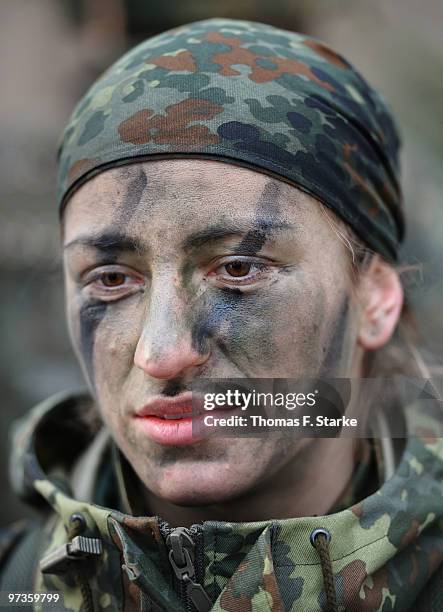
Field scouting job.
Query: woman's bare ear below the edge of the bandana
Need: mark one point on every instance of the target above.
(381, 298)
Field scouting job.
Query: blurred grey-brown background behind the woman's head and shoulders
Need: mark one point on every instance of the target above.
(52, 50)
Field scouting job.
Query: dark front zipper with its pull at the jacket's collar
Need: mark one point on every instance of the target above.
(183, 556)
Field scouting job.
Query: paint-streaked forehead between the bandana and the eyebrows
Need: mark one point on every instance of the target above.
(181, 195)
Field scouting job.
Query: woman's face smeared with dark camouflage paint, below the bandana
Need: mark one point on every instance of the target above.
(180, 270)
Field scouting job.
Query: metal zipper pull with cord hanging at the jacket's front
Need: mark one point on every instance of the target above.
(181, 557)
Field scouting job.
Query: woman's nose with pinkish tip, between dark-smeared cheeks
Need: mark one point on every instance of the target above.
(166, 348)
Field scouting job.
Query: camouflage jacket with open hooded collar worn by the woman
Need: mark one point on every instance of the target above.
(384, 549)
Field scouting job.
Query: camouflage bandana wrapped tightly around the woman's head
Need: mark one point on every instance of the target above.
(250, 94)
